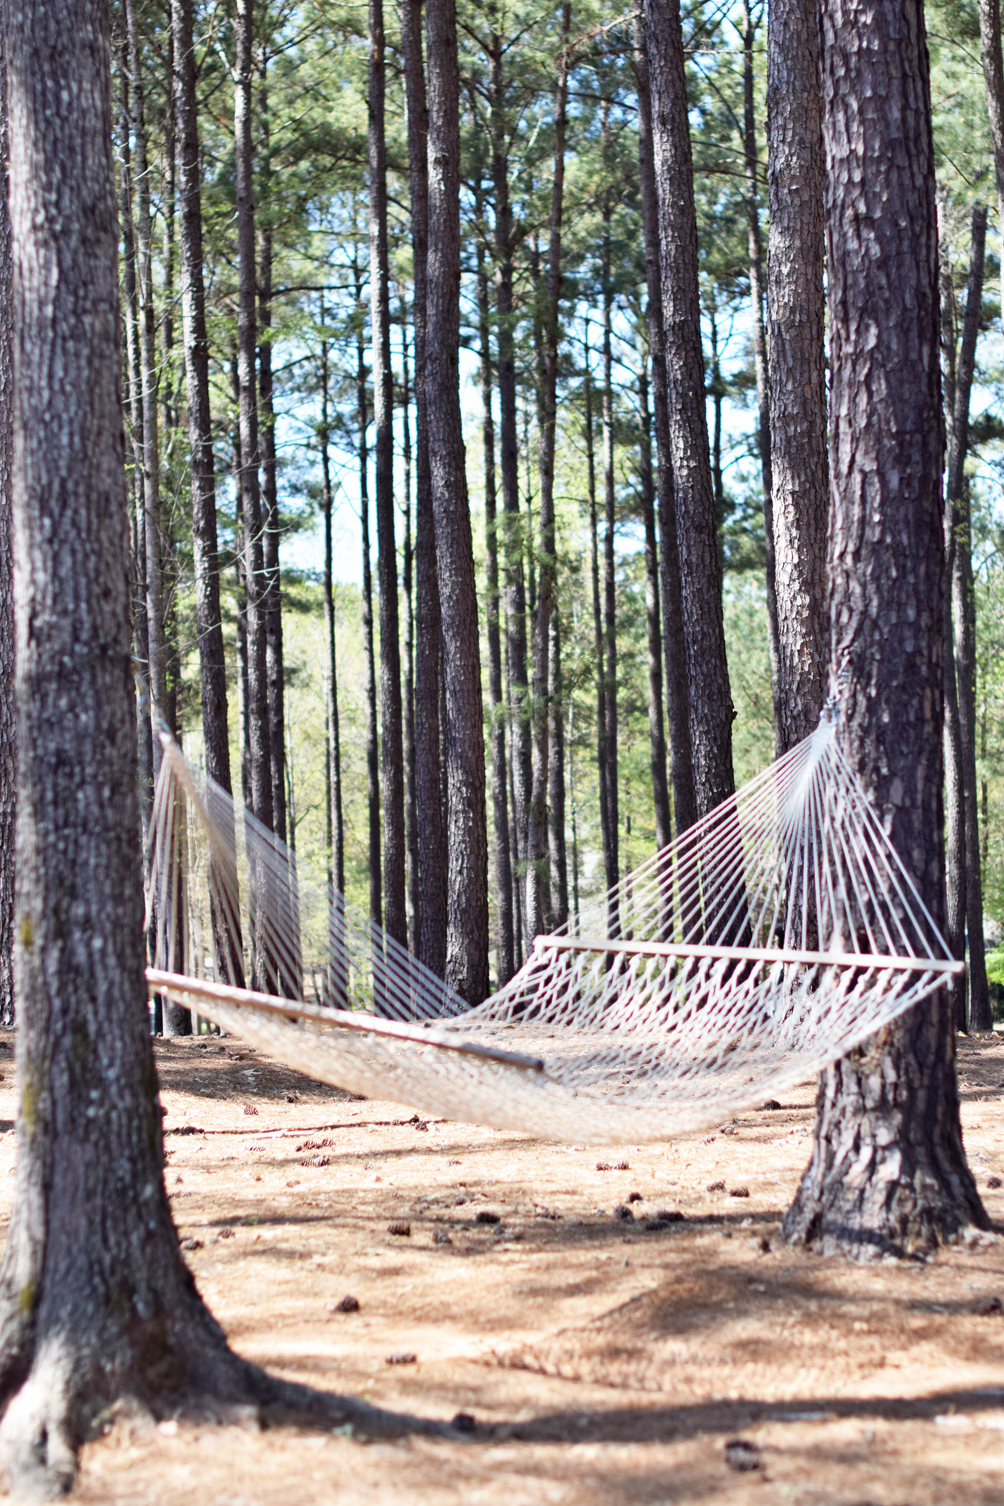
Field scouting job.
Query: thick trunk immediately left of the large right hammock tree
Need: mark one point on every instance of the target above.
(797, 361)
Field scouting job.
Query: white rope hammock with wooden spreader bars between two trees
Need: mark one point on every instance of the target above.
(762, 945)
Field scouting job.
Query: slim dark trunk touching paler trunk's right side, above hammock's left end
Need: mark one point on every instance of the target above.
(272, 596)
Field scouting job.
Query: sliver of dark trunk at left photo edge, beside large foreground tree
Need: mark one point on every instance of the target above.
(8, 728)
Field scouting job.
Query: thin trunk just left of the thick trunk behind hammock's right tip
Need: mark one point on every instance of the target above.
(755, 243)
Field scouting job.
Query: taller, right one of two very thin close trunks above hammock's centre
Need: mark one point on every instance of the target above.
(610, 594)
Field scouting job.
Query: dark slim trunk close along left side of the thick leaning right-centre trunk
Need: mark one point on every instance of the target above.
(674, 641)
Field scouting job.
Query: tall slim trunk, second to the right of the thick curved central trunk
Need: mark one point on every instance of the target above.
(516, 594)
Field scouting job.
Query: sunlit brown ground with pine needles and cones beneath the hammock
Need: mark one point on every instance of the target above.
(612, 1361)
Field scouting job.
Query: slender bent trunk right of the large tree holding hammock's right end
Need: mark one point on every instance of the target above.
(964, 615)
